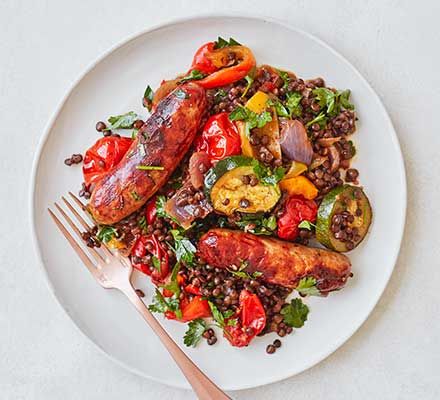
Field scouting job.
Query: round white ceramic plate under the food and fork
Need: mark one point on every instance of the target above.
(115, 84)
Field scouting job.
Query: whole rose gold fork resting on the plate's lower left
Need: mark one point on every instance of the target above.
(113, 271)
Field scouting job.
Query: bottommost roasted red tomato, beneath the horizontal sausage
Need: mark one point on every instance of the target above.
(251, 320)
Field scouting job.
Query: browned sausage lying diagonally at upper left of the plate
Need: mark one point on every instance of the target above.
(163, 141)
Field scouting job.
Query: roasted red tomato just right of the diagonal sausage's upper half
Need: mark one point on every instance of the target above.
(219, 138)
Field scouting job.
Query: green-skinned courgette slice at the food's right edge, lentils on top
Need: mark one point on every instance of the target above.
(353, 201)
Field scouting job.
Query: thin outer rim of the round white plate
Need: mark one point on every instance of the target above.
(168, 23)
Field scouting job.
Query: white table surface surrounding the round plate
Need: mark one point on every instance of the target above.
(45, 45)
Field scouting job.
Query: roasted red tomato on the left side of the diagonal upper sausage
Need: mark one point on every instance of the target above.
(104, 155)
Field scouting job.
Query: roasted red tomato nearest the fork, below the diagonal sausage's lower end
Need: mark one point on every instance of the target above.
(150, 245)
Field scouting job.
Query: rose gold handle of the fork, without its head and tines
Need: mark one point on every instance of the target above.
(201, 384)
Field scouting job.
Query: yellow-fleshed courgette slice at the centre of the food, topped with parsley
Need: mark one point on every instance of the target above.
(228, 193)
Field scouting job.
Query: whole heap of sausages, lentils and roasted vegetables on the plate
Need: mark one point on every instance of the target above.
(217, 195)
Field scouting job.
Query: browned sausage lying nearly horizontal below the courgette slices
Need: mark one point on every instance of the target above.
(281, 263)
